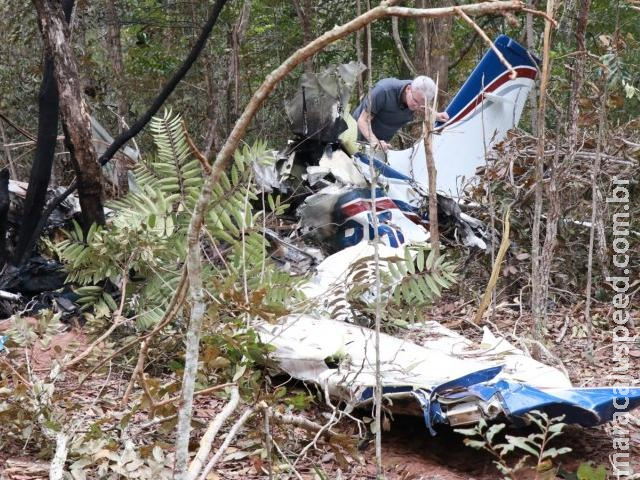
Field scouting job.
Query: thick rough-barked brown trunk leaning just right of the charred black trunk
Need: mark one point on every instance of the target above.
(75, 117)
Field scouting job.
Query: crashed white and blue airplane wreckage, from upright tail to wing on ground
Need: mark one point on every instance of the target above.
(447, 379)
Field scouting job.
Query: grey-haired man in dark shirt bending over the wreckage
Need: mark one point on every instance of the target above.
(393, 103)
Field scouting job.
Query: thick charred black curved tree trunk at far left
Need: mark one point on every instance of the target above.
(43, 159)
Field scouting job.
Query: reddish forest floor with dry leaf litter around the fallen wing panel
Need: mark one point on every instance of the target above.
(408, 450)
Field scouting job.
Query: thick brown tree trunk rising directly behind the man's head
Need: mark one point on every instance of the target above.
(433, 39)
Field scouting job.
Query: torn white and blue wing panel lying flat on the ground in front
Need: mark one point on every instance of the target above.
(446, 380)
